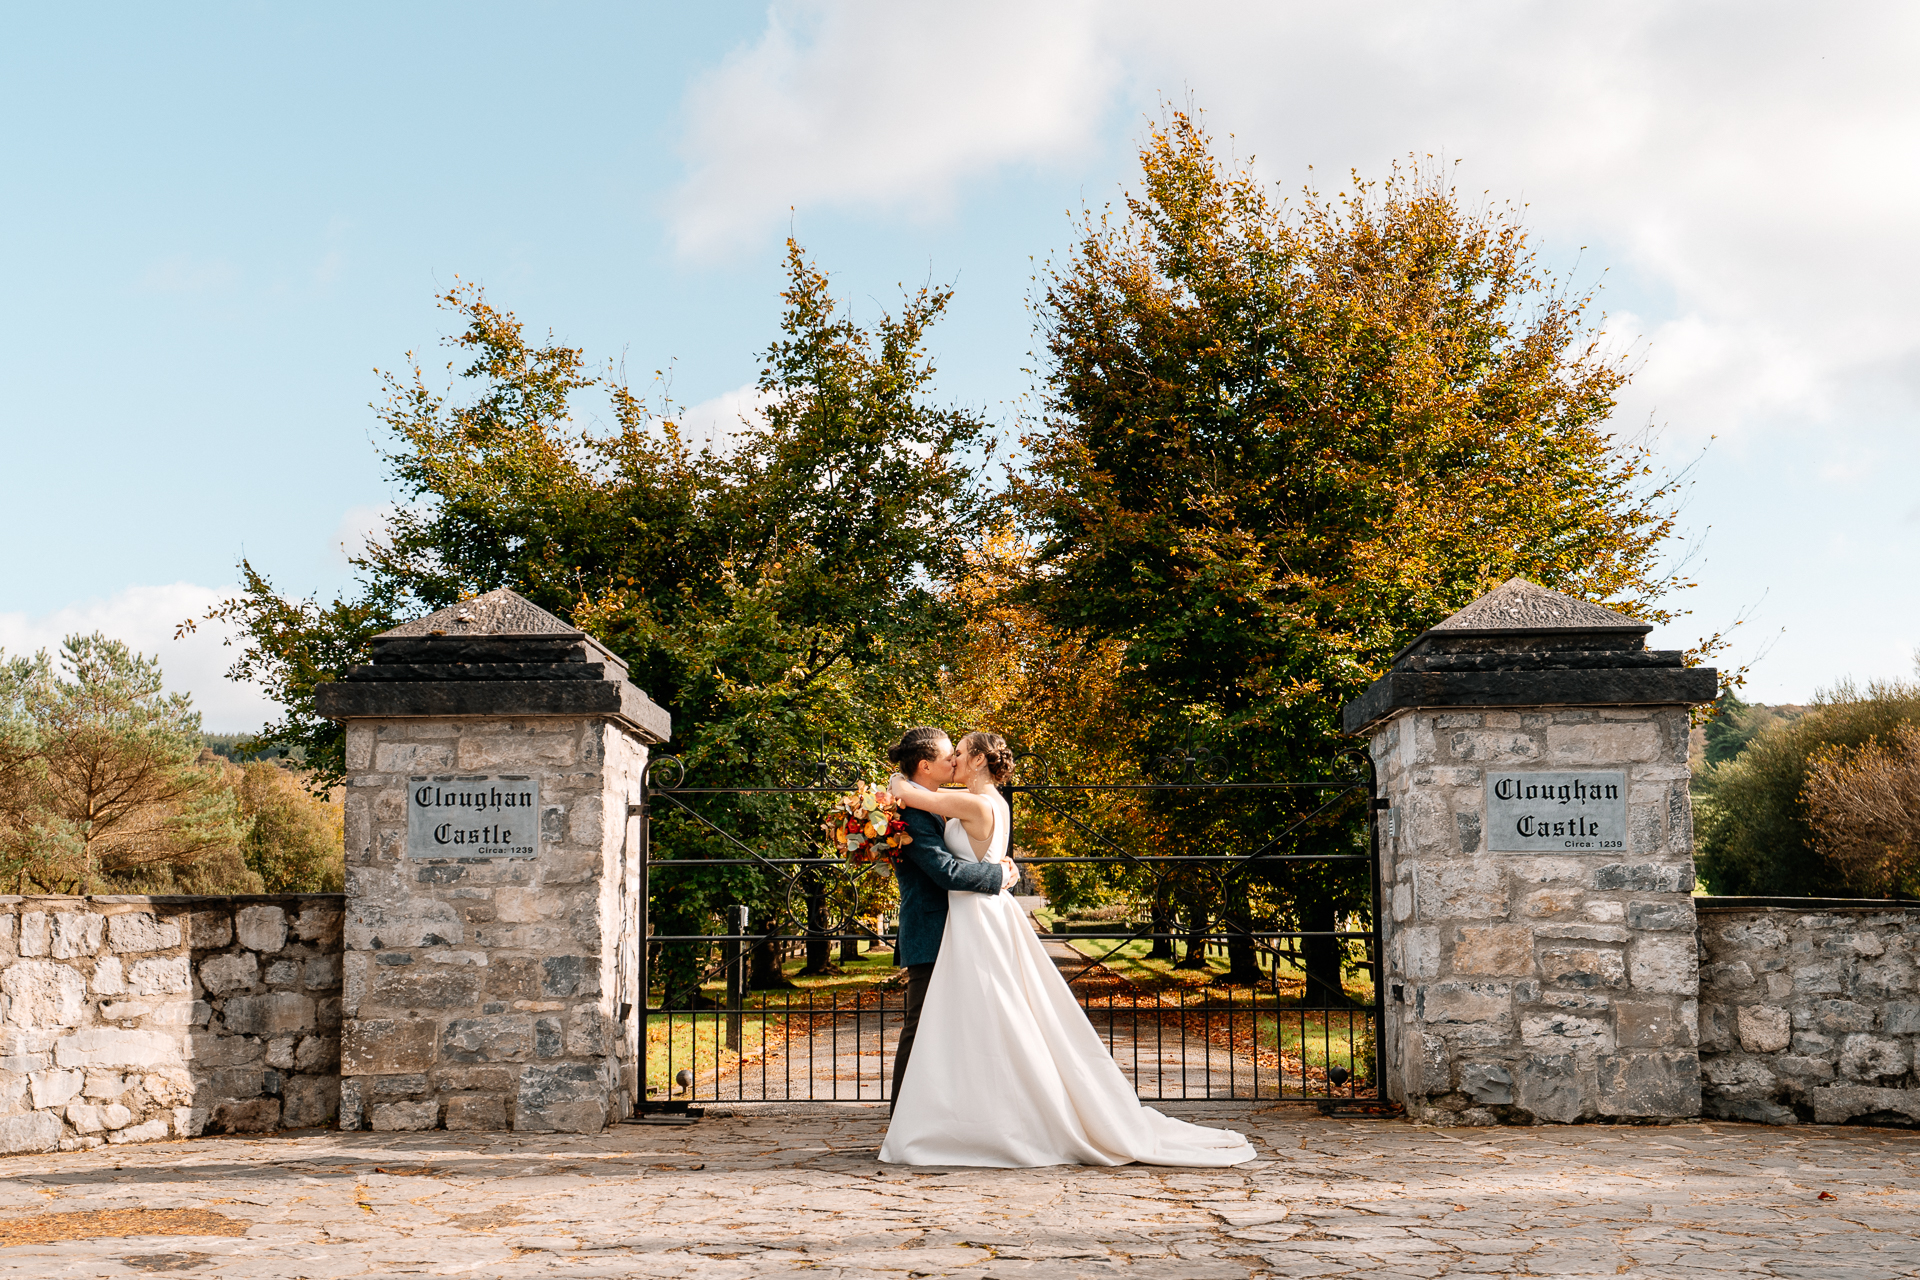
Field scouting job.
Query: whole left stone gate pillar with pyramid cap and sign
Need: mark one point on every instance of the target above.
(492, 874)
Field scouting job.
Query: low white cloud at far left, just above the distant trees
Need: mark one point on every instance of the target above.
(145, 619)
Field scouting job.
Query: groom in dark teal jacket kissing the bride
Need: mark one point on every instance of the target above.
(928, 870)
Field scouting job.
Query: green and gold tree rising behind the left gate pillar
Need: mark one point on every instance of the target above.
(780, 598)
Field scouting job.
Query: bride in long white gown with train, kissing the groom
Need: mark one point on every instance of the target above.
(1007, 1072)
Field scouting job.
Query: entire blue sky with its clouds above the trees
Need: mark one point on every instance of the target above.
(222, 220)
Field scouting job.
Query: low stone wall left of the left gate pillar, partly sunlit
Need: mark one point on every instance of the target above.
(133, 1020)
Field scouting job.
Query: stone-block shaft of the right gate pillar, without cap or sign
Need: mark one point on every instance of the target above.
(1537, 987)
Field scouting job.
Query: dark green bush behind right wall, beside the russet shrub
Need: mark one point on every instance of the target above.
(1754, 830)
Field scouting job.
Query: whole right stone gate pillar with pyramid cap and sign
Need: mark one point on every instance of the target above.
(1537, 866)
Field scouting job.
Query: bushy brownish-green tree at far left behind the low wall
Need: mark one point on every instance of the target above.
(103, 782)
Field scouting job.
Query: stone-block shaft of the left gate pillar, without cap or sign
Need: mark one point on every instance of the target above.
(489, 993)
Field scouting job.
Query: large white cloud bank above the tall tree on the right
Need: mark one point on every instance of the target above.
(1748, 170)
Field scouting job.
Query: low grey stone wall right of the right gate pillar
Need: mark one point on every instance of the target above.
(1810, 1010)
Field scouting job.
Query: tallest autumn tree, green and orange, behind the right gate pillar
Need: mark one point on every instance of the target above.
(1280, 442)
